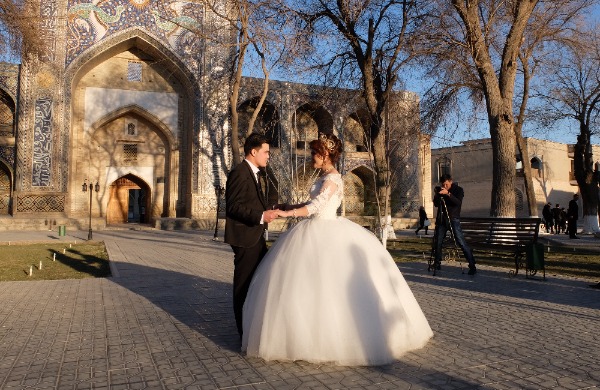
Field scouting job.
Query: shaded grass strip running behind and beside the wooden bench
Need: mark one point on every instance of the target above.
(581, 262)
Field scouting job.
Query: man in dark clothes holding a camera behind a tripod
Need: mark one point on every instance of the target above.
(448, 199)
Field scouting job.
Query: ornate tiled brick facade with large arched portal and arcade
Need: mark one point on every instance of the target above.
(128, 95)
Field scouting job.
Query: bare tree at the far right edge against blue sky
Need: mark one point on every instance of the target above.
(572, 92)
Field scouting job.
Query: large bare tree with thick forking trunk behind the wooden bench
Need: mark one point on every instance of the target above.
(477, 46)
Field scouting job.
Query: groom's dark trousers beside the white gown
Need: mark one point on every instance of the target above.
(245, 261)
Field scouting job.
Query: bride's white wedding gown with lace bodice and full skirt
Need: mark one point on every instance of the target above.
(328, 291)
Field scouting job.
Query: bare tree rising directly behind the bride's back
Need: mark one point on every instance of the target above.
(363, 45)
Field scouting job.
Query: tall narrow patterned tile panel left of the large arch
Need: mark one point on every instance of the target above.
(42, 143)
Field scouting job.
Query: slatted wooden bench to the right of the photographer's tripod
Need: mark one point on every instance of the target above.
(516, 236)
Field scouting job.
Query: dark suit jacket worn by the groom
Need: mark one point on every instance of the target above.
(244, 205)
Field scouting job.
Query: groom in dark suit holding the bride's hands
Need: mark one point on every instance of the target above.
(246, 218)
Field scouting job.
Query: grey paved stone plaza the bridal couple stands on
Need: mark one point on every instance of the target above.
(164, 321)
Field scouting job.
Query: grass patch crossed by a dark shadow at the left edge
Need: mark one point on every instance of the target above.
(83, 260)
